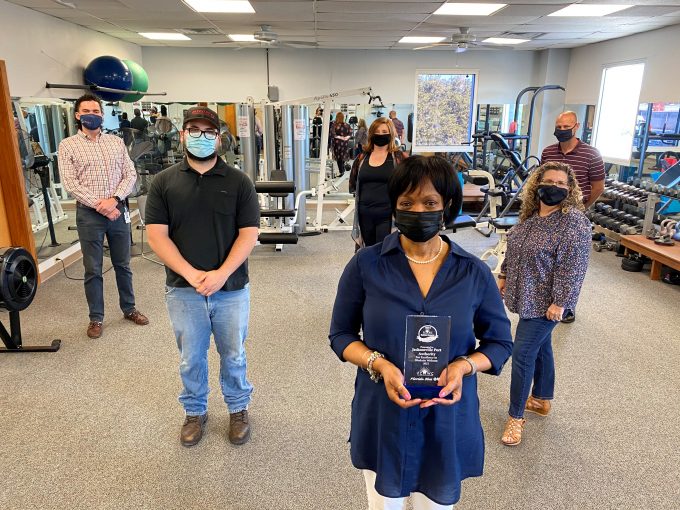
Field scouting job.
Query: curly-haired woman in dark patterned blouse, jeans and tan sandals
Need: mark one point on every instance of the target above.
(541, 276)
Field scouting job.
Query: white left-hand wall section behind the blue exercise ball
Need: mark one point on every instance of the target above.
(38, 48)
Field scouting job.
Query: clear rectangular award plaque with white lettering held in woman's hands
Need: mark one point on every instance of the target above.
(426, 353)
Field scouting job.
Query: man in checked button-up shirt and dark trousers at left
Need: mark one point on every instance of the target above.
(96, 169)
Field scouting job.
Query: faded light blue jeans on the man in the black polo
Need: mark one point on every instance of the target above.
(194, 318)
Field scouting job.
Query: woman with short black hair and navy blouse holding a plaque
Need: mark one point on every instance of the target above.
(408, 445)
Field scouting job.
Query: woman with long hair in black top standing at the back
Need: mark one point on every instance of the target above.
(370, 173)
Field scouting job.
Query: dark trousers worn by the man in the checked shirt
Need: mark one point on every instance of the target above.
(92, 227)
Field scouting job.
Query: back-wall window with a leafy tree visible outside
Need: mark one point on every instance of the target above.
(444, 110)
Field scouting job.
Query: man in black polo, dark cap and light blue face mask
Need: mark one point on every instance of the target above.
(202, 217)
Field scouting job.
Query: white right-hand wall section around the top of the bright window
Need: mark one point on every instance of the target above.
(657, 48)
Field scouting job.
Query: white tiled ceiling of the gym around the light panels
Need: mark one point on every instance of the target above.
(363, 24)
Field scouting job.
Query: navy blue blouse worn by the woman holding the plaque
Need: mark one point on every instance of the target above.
(418, 450)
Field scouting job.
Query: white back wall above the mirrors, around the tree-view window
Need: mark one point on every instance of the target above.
(221, 74)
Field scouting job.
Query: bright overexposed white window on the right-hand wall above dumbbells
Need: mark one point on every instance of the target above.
(617, 111)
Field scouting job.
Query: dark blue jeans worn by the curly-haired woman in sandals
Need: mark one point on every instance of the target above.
(532, 358)
